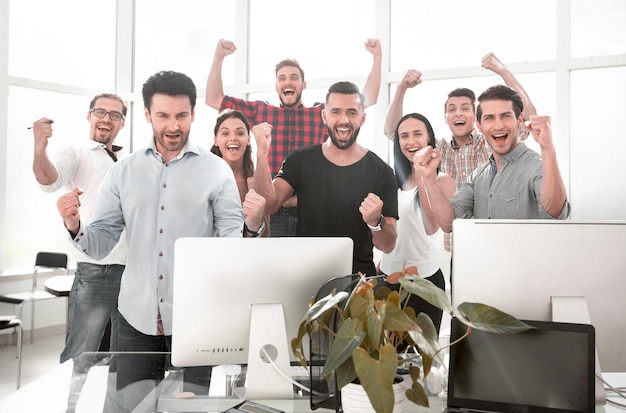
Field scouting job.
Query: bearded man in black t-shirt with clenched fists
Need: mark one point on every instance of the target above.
(343, 189)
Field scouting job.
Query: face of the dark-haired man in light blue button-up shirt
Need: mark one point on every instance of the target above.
(171, 118)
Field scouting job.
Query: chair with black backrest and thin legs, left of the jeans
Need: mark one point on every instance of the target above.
(44, 260)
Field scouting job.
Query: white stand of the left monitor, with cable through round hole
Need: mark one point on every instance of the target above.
(268, 337)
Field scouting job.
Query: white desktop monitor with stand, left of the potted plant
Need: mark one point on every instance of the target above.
(221, 283)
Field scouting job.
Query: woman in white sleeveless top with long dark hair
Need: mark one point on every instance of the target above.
(416, 229)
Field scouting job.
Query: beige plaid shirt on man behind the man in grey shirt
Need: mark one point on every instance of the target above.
(460, 162)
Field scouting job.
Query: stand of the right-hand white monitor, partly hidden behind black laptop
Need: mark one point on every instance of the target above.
(569, 309)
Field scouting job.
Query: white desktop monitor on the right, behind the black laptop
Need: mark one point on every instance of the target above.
(522, 266)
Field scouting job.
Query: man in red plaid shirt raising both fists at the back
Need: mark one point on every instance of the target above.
(294, 125)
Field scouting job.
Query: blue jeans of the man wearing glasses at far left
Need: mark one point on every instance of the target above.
(92, 302)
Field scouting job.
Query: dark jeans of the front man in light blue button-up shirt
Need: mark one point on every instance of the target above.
(138, 374)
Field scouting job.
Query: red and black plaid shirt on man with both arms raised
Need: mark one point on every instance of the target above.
(293, 128)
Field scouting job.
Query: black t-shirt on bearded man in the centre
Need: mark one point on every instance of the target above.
(329, 197)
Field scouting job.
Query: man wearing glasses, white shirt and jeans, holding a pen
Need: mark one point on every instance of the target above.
(93, 297)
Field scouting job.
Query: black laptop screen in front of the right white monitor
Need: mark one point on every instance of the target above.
(548, 369)
